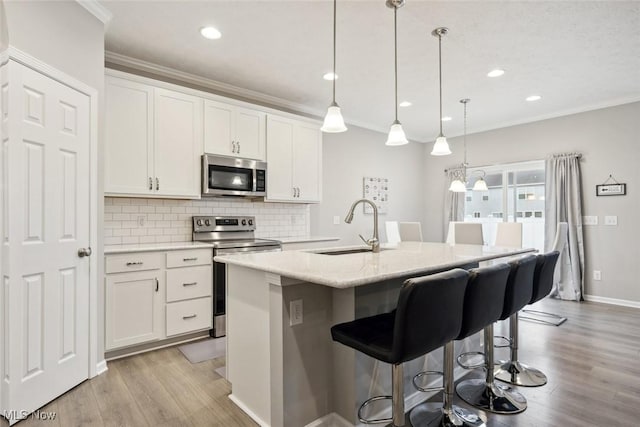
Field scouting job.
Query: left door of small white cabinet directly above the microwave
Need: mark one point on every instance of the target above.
(219, 128)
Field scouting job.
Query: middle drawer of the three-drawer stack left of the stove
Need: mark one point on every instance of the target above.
(188, 283)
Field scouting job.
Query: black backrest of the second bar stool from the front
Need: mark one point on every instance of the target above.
(484, 298)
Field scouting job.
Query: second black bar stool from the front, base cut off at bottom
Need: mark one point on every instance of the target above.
(483, 303)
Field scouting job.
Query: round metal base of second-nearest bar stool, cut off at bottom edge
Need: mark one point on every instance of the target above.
(433, 414)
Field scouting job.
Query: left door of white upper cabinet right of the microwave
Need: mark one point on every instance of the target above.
(279, 159)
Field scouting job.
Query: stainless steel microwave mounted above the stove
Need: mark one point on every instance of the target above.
(228, 176)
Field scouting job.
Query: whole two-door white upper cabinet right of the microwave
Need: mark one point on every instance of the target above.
(294, 160)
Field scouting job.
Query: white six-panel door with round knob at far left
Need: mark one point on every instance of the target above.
(48, 223)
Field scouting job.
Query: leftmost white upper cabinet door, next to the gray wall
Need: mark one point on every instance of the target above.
(129, 136)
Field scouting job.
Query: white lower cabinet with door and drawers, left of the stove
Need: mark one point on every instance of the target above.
(151, 296)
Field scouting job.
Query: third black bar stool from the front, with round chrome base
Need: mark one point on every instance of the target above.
(484, 393)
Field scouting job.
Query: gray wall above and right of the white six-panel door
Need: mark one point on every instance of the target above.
(66, 36)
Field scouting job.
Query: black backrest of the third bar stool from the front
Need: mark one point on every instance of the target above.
(519, 285)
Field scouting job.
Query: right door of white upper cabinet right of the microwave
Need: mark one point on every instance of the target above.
(307, 162)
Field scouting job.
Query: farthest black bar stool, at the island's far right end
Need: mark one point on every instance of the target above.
(513, 371)
